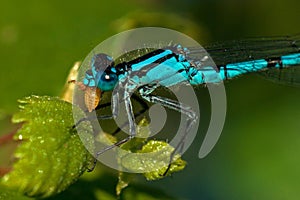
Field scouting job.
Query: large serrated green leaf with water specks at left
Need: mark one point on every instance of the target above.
(51, 156)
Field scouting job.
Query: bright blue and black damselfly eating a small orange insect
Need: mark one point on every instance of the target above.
(278, 58)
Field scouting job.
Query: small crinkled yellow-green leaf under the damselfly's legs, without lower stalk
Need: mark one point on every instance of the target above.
(151, 159)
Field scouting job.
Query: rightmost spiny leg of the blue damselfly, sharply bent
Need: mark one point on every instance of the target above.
(177, 106)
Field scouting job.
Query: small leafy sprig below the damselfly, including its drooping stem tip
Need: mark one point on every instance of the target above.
(140, 156)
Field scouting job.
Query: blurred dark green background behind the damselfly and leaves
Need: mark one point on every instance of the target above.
(257, 154)
